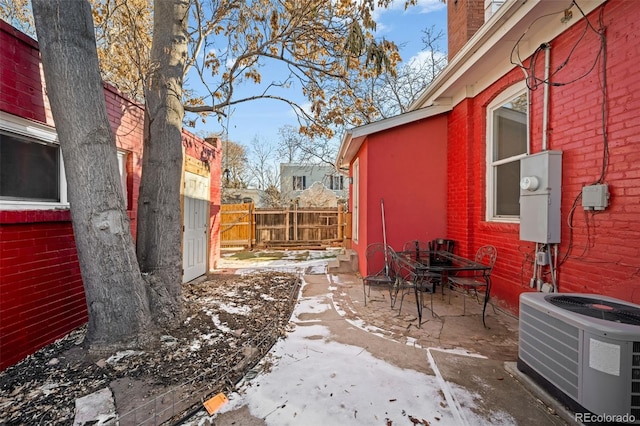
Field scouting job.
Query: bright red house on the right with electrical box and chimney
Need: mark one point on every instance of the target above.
(460, 163)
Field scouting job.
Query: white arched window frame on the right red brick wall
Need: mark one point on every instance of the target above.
(507, 94)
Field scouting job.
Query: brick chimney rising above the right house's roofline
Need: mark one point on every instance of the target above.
(464, 17)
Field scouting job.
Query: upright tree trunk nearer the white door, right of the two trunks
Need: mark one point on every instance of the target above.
(159, 234)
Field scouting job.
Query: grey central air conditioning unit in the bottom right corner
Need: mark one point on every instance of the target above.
(584, 349)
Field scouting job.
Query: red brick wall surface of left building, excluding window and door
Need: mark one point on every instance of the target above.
(41, 293)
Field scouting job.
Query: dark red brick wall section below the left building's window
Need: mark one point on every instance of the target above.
(41, 294)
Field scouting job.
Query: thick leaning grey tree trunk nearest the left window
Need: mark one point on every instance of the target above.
(115, 291)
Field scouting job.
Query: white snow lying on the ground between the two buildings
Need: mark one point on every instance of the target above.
(314, 381)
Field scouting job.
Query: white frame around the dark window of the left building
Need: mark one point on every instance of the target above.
(41, 132)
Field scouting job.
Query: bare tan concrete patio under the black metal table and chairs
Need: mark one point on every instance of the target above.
(489, 368)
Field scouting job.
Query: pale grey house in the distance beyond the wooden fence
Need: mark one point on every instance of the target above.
(295, 178)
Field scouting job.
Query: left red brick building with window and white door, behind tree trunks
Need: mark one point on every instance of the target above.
(41, 292)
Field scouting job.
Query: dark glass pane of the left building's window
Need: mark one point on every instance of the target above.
(28, 170)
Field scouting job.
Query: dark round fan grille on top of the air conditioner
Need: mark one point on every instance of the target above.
(597, 308)
